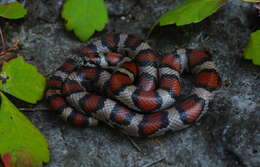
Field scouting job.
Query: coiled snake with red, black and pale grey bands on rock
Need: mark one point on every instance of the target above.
(118, 80)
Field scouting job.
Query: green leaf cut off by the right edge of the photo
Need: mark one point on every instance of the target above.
(252, 50)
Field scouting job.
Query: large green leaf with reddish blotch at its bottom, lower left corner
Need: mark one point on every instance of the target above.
(18, 136)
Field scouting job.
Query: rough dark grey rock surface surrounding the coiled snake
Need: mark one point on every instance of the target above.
(227, 136)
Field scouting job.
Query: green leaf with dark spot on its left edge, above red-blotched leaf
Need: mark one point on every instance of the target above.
(22, 80)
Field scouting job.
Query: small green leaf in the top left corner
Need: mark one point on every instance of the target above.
(13, 10)
